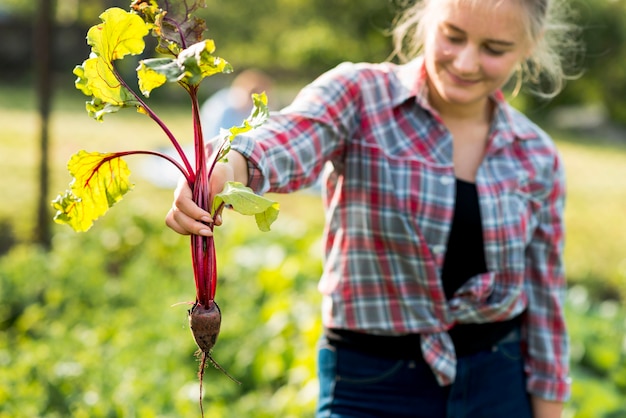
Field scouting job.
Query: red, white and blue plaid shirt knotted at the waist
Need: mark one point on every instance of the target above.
(389, 195)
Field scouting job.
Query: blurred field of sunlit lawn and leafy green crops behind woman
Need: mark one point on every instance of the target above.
(89, 330)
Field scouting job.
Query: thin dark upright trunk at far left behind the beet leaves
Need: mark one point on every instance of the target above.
(42, 61)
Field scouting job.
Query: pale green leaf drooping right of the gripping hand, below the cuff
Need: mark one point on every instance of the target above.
(245, 201)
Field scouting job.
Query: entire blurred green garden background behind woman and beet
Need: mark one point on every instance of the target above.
(92, 325)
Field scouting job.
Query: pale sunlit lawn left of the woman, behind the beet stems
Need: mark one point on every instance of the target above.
(70, 131)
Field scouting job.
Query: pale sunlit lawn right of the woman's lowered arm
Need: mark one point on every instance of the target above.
(594, 215)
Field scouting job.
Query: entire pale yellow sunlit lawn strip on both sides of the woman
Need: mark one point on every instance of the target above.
(596, 176)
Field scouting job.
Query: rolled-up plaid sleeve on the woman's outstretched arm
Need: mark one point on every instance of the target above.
(289, 151)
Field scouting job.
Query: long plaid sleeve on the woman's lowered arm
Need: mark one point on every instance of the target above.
(548, 344)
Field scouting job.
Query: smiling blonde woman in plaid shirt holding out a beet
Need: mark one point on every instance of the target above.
(443, 282)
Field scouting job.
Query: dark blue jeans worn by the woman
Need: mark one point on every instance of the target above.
(354, 384)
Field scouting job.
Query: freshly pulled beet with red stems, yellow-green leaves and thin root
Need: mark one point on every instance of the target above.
(101, 179)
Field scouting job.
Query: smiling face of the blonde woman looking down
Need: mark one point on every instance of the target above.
(472, 48)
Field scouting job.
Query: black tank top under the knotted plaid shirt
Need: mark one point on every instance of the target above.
(465, 257)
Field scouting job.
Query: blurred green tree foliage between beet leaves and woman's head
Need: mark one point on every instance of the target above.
(300, 38)
